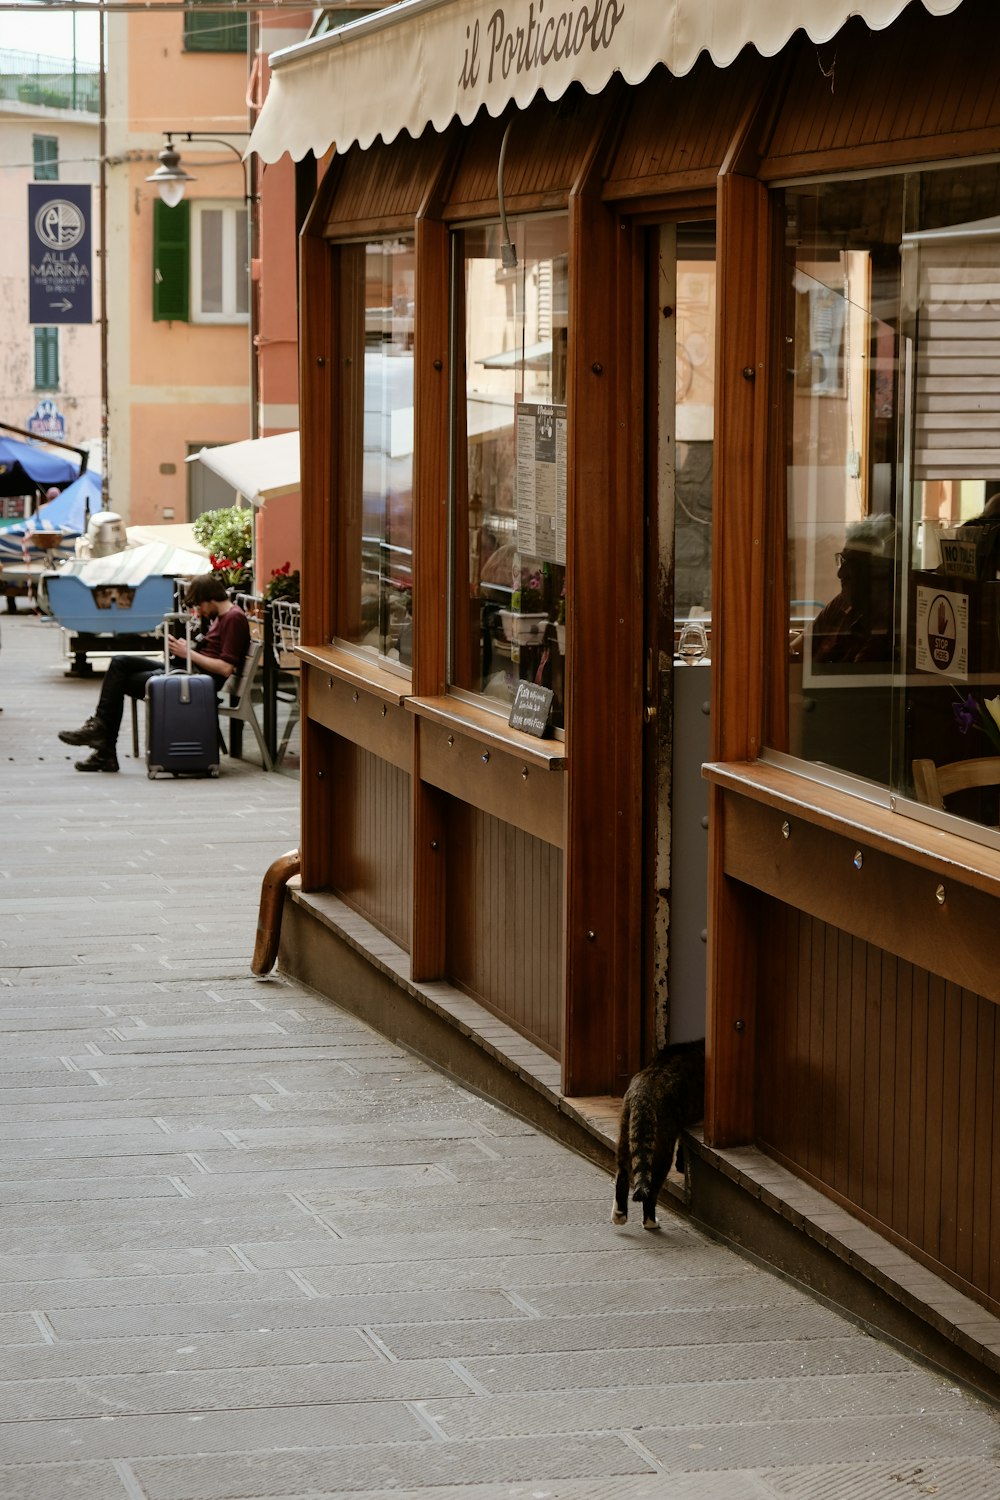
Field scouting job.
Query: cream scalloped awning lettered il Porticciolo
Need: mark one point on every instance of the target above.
(428, 62)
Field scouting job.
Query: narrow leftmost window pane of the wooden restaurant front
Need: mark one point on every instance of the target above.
(377, 427)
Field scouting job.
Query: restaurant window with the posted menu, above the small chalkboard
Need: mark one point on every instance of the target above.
(509, 542)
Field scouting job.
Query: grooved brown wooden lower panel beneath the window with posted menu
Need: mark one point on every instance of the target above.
(504, 944)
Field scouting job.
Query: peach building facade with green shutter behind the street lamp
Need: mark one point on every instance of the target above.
(173, 386)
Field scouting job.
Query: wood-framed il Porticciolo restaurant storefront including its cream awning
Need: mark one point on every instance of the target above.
(651, 388)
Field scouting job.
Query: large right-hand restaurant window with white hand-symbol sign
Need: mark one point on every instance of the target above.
(893, 415)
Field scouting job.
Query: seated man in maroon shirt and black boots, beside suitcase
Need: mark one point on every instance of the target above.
(221, 653)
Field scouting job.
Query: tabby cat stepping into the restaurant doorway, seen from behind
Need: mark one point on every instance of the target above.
(659, 1103)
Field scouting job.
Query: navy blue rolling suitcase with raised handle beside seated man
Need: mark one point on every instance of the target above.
(182, 721)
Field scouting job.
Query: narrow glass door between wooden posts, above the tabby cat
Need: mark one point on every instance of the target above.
(680, 452)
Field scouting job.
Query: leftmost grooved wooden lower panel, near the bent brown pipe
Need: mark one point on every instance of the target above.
(371, 863)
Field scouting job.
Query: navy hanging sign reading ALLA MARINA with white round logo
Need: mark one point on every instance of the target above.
(61, 284)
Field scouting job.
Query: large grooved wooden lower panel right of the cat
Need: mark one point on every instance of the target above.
(879, 1082)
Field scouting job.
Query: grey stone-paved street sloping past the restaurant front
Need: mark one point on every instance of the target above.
(250, 1249)
